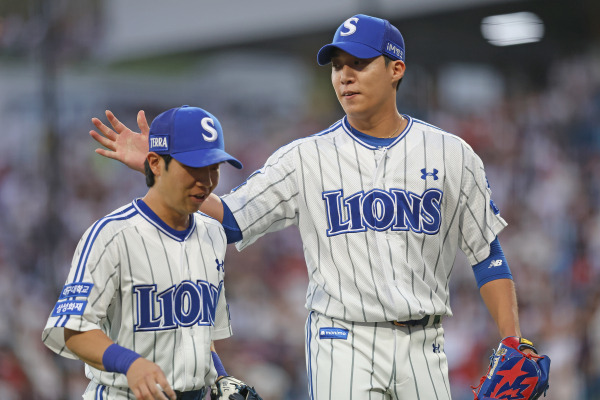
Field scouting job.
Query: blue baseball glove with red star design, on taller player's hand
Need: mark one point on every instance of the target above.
(514, 375)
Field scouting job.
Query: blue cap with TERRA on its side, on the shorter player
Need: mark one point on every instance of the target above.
(191, 135)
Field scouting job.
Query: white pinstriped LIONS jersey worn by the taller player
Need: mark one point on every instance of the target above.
(380, 225)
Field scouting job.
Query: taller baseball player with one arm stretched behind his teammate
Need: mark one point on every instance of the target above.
(383, 202)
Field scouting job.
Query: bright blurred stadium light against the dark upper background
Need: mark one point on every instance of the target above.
(512, 29)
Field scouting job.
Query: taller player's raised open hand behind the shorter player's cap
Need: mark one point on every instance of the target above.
(121, 143)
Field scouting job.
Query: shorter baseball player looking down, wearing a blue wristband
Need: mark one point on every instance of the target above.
(144, 299)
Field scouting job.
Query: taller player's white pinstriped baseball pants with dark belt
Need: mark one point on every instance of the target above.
(365, 361)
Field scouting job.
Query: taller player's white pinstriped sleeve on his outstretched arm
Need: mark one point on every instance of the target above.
(268, 200)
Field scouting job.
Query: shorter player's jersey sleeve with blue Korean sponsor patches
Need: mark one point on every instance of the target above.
(88, 292)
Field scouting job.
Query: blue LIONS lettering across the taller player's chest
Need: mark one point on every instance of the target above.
(382, 210)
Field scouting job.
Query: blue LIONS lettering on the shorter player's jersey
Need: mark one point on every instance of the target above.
(186, 304)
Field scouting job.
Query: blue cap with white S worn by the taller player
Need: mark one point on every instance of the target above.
(364, 36)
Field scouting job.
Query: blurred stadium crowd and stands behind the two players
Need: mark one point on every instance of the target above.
(531, 110)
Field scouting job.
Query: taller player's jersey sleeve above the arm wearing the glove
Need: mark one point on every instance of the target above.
(480, 220)
